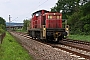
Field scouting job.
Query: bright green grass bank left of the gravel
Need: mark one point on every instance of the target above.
(11, 50)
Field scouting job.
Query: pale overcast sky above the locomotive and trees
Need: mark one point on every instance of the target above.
(22, 9)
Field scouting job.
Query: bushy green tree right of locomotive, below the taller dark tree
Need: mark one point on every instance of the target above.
(80, 21)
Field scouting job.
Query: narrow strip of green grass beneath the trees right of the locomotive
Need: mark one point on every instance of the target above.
(80, 37)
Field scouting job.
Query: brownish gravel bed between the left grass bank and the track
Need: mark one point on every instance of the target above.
(42, 51)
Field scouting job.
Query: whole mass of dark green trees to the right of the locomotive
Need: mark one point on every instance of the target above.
(77, 13)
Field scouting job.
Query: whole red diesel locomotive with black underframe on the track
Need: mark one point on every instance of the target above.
(47, 25)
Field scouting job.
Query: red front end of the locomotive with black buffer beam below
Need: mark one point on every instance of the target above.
(54, 29)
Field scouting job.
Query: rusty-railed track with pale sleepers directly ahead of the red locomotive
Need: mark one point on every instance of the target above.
(76, 51)
